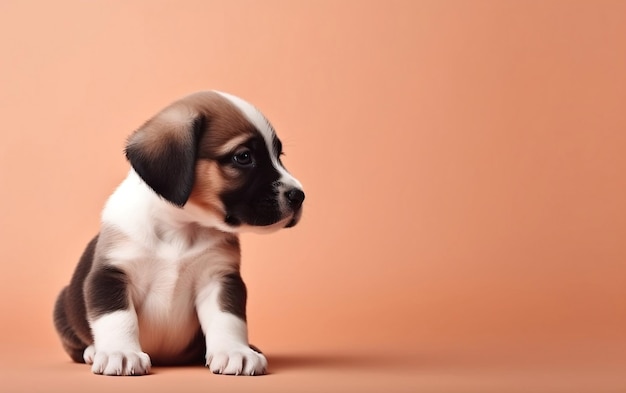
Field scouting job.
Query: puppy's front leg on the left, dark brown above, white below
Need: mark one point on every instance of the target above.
(114, 324)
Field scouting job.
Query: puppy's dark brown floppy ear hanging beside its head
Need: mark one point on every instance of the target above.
(163, 152)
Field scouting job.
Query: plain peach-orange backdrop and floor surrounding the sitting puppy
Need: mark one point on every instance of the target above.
(465, 170)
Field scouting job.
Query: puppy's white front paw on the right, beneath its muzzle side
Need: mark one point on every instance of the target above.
(236, 360)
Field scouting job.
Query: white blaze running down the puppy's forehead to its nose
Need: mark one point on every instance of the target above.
(254, 116)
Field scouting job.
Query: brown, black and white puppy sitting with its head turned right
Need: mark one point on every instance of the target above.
(160, 283)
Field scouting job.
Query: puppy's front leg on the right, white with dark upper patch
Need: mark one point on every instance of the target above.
(221, 309)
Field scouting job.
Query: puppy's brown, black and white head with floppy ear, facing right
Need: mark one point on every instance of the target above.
(217, 156)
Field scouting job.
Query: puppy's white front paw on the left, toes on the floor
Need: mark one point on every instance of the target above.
(121, 363)
